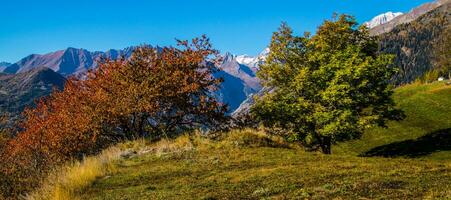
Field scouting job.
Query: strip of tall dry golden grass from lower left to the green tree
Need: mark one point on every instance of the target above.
(70, 180)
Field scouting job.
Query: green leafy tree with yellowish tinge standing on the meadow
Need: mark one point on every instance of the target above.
(328, 87)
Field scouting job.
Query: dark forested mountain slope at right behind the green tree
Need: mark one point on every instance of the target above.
(412, 43)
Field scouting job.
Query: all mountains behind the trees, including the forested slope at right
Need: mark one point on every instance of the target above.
(406, 35)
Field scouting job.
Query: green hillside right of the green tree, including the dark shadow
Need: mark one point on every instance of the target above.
(425, 131)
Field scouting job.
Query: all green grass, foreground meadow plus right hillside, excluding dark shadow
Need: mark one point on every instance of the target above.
(211, 170)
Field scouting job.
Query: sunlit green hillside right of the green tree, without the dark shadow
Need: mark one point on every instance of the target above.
(428, 110)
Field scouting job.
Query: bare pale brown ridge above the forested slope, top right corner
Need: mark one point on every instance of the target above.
(408, 17)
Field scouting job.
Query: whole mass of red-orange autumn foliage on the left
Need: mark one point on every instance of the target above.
(158, 92)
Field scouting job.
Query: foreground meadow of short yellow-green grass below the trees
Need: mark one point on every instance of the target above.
(212, 170)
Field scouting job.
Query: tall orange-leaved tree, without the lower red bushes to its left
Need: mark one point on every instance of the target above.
(160, 92)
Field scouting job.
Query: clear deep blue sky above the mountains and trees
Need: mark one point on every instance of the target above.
(240, 27)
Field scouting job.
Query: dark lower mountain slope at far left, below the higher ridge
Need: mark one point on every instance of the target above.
(20, 90)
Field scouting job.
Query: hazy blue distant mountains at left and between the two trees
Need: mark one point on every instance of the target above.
(238, 71)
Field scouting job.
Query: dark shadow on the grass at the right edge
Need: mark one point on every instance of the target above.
(436, 141)
